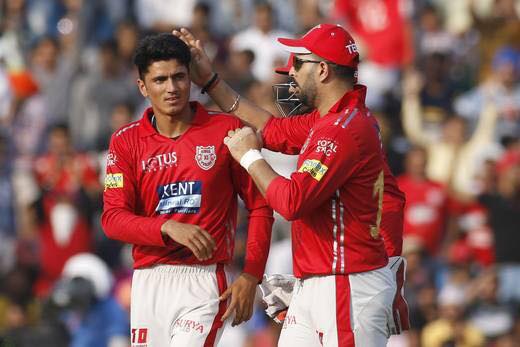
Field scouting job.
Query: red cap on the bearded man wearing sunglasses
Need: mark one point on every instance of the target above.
(328, 41)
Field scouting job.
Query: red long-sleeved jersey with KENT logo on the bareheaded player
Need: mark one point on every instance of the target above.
(190, 179)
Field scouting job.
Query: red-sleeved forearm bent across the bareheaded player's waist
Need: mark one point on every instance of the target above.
(122, 225)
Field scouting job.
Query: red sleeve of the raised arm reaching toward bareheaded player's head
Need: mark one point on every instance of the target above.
(287, 135)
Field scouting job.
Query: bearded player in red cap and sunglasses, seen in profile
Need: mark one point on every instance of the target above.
(346, 289)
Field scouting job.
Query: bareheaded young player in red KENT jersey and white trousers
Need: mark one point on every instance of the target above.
(171, 190)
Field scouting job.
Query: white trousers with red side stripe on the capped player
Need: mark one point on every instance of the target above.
(340, 310)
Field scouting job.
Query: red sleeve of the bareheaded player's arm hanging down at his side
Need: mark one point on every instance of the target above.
(260, 222)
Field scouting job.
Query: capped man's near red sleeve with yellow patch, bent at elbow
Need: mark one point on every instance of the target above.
(329, 159)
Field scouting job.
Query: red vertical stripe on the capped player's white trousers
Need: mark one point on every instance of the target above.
(343, 323)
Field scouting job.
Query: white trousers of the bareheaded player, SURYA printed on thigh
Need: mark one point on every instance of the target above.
(177, 305)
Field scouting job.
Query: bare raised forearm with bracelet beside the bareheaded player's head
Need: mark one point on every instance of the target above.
(226, 98)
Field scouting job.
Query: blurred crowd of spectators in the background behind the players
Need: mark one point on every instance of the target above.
(443, 79)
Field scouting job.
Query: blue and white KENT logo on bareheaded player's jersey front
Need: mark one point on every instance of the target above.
(179, 197)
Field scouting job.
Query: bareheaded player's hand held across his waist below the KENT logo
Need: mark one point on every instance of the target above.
(198, 240)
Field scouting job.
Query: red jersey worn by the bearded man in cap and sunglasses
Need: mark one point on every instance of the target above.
(336, 197)
